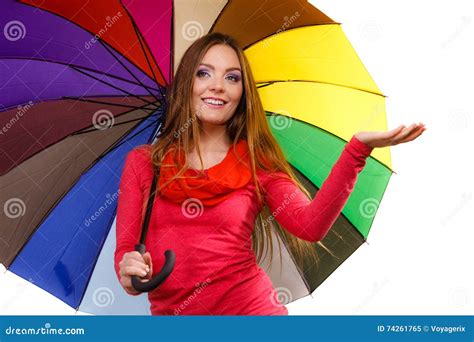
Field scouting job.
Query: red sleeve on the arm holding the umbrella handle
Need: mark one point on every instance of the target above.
(129, 208)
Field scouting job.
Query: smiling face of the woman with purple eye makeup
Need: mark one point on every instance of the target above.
(217, 85)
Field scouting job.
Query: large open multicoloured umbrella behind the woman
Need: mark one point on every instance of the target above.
(83, 84)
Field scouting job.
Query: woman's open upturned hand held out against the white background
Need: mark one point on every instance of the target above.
(396, 136)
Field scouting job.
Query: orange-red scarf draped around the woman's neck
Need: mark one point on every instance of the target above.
(217, 183)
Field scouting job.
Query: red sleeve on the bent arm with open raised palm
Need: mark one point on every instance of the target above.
(311, 219)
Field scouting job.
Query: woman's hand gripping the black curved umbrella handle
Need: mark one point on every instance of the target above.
(133, 263)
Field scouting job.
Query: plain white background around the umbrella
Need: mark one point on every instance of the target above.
(419, 257)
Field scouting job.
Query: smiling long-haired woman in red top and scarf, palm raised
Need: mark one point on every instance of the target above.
(219, 168)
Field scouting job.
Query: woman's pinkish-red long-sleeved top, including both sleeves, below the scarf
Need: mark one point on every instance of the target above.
(216, 272)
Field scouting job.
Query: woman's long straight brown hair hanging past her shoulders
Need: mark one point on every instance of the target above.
(181, 130)
